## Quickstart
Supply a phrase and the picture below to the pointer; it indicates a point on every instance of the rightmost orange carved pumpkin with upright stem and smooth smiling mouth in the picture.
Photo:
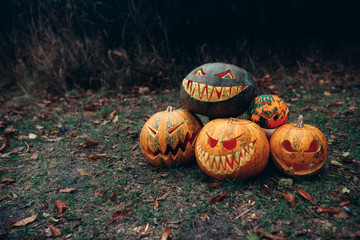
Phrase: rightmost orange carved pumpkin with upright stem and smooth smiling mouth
(299, 149)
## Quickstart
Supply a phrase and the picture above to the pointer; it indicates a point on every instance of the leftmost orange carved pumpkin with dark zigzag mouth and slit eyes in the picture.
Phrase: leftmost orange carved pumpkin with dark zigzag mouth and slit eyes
(168, 137)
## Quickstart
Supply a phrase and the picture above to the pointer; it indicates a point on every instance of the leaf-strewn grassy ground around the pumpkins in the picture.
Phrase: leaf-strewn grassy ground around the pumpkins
(123, 180)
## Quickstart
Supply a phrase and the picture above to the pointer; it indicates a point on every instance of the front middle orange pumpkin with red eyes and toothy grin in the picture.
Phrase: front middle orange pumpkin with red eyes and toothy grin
(230, 148)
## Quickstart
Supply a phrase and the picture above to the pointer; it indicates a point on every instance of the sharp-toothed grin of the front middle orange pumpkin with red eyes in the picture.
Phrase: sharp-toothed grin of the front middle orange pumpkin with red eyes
(225, 163)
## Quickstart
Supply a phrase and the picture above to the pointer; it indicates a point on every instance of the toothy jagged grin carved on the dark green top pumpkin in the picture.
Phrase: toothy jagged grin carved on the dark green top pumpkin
(209, 93)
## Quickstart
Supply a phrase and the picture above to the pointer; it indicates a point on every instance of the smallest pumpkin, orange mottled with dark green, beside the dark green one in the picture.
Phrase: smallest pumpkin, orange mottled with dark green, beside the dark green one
(268, 111)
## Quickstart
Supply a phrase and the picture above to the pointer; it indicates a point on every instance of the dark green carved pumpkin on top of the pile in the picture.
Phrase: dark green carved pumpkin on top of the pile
(218, 90)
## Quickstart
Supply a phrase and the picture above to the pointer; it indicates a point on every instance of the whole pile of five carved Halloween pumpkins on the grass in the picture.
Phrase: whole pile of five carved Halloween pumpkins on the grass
(229, 147)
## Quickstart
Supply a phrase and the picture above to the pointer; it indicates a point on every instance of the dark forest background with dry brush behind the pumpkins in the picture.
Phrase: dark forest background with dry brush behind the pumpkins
(56, 45)
